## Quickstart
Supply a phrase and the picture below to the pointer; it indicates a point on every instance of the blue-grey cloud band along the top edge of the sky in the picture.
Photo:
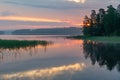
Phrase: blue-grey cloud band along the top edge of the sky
(52, 4)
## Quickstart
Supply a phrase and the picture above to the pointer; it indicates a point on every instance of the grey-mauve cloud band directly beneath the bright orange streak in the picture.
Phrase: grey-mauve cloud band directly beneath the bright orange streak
(30, 23)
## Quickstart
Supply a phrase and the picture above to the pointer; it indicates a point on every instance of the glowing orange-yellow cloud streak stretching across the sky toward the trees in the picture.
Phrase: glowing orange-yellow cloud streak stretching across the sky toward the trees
(32, 19)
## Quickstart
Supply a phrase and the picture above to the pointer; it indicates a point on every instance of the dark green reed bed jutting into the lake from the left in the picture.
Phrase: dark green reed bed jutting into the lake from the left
(21, 43)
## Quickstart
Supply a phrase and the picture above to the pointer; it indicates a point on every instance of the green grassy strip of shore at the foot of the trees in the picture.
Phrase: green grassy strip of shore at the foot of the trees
(111, 39)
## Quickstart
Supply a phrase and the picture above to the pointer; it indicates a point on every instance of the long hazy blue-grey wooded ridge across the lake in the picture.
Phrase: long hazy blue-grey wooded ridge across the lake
(52, 31)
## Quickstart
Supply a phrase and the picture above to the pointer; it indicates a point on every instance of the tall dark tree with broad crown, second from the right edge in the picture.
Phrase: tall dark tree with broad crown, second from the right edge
(110, 21)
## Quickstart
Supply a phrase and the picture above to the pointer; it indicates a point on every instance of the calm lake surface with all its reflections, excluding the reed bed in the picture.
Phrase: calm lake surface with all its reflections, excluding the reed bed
(65, 59)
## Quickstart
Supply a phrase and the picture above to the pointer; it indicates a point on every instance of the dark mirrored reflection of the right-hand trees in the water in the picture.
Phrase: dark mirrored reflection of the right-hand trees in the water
(104, 54)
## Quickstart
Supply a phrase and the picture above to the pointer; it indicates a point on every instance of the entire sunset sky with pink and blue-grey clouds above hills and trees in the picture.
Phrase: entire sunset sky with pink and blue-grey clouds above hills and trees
(32, 14)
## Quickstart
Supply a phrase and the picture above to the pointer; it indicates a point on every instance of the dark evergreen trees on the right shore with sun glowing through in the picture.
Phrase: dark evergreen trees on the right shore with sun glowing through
(103, 23)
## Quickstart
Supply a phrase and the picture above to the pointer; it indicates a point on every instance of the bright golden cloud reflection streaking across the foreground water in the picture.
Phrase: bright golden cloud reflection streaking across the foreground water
(47, 73)
